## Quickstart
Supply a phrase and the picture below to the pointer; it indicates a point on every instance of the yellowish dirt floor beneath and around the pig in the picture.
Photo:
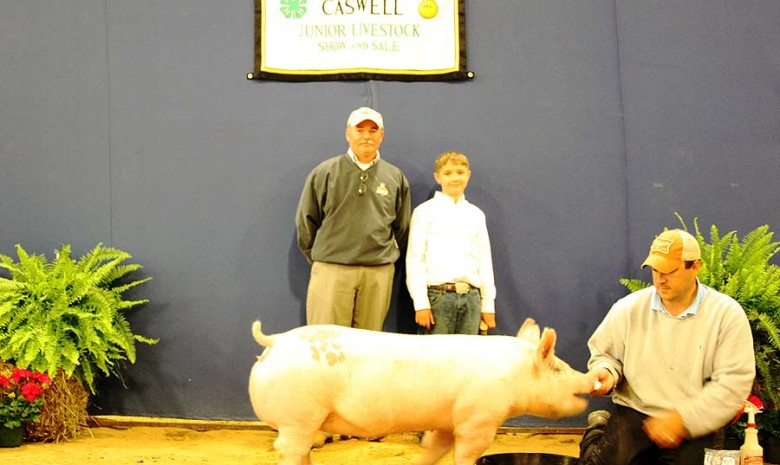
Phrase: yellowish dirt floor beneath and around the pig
(157, 441)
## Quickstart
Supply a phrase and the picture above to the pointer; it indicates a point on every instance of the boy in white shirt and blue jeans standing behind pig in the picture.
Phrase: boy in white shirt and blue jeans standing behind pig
(448, 262)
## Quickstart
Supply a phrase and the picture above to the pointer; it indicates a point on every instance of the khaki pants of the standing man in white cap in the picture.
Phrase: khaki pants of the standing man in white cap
(349, 295)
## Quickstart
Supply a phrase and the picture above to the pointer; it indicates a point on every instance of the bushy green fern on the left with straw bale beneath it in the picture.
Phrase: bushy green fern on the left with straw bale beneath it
(65, 318)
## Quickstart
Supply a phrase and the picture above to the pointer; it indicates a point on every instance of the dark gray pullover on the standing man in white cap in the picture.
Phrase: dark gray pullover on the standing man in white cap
(345, 220)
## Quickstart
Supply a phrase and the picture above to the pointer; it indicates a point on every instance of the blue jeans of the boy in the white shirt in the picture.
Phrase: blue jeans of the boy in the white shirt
(454, 313)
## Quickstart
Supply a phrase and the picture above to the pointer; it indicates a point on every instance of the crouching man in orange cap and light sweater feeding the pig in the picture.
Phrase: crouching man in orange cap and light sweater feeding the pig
(677, 358)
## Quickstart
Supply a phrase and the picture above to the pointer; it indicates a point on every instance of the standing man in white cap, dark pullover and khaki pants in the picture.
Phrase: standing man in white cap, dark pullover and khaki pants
(352, 218)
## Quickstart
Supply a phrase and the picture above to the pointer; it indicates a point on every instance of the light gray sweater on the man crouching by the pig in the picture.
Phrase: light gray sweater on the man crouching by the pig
(702, 366)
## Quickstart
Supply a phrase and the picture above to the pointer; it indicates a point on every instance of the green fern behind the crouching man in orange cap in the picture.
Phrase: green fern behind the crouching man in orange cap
(742, 269)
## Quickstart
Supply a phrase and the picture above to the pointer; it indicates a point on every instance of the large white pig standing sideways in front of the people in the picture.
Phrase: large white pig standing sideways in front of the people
(369, 384)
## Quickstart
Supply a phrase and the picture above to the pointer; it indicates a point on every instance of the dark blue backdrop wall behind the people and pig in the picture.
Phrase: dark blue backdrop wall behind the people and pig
(589, 123)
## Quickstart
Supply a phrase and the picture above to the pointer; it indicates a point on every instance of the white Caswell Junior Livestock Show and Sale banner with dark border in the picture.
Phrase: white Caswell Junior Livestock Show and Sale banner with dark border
(402, 40)
